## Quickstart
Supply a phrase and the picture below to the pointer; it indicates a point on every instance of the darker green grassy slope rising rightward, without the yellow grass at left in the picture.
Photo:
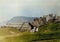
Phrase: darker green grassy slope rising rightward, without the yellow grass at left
(47, 33)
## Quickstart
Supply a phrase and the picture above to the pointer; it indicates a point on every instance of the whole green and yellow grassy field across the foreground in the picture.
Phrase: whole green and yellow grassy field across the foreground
(46, 33)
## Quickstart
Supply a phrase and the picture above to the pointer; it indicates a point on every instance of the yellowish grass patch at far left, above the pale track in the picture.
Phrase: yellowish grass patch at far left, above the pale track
(8, 31)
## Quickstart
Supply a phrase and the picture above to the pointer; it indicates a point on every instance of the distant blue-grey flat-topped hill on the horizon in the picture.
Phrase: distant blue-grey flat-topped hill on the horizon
(20, 19)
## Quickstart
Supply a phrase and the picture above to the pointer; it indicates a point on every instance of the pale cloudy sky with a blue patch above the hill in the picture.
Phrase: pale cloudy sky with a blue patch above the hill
(34, 8)
